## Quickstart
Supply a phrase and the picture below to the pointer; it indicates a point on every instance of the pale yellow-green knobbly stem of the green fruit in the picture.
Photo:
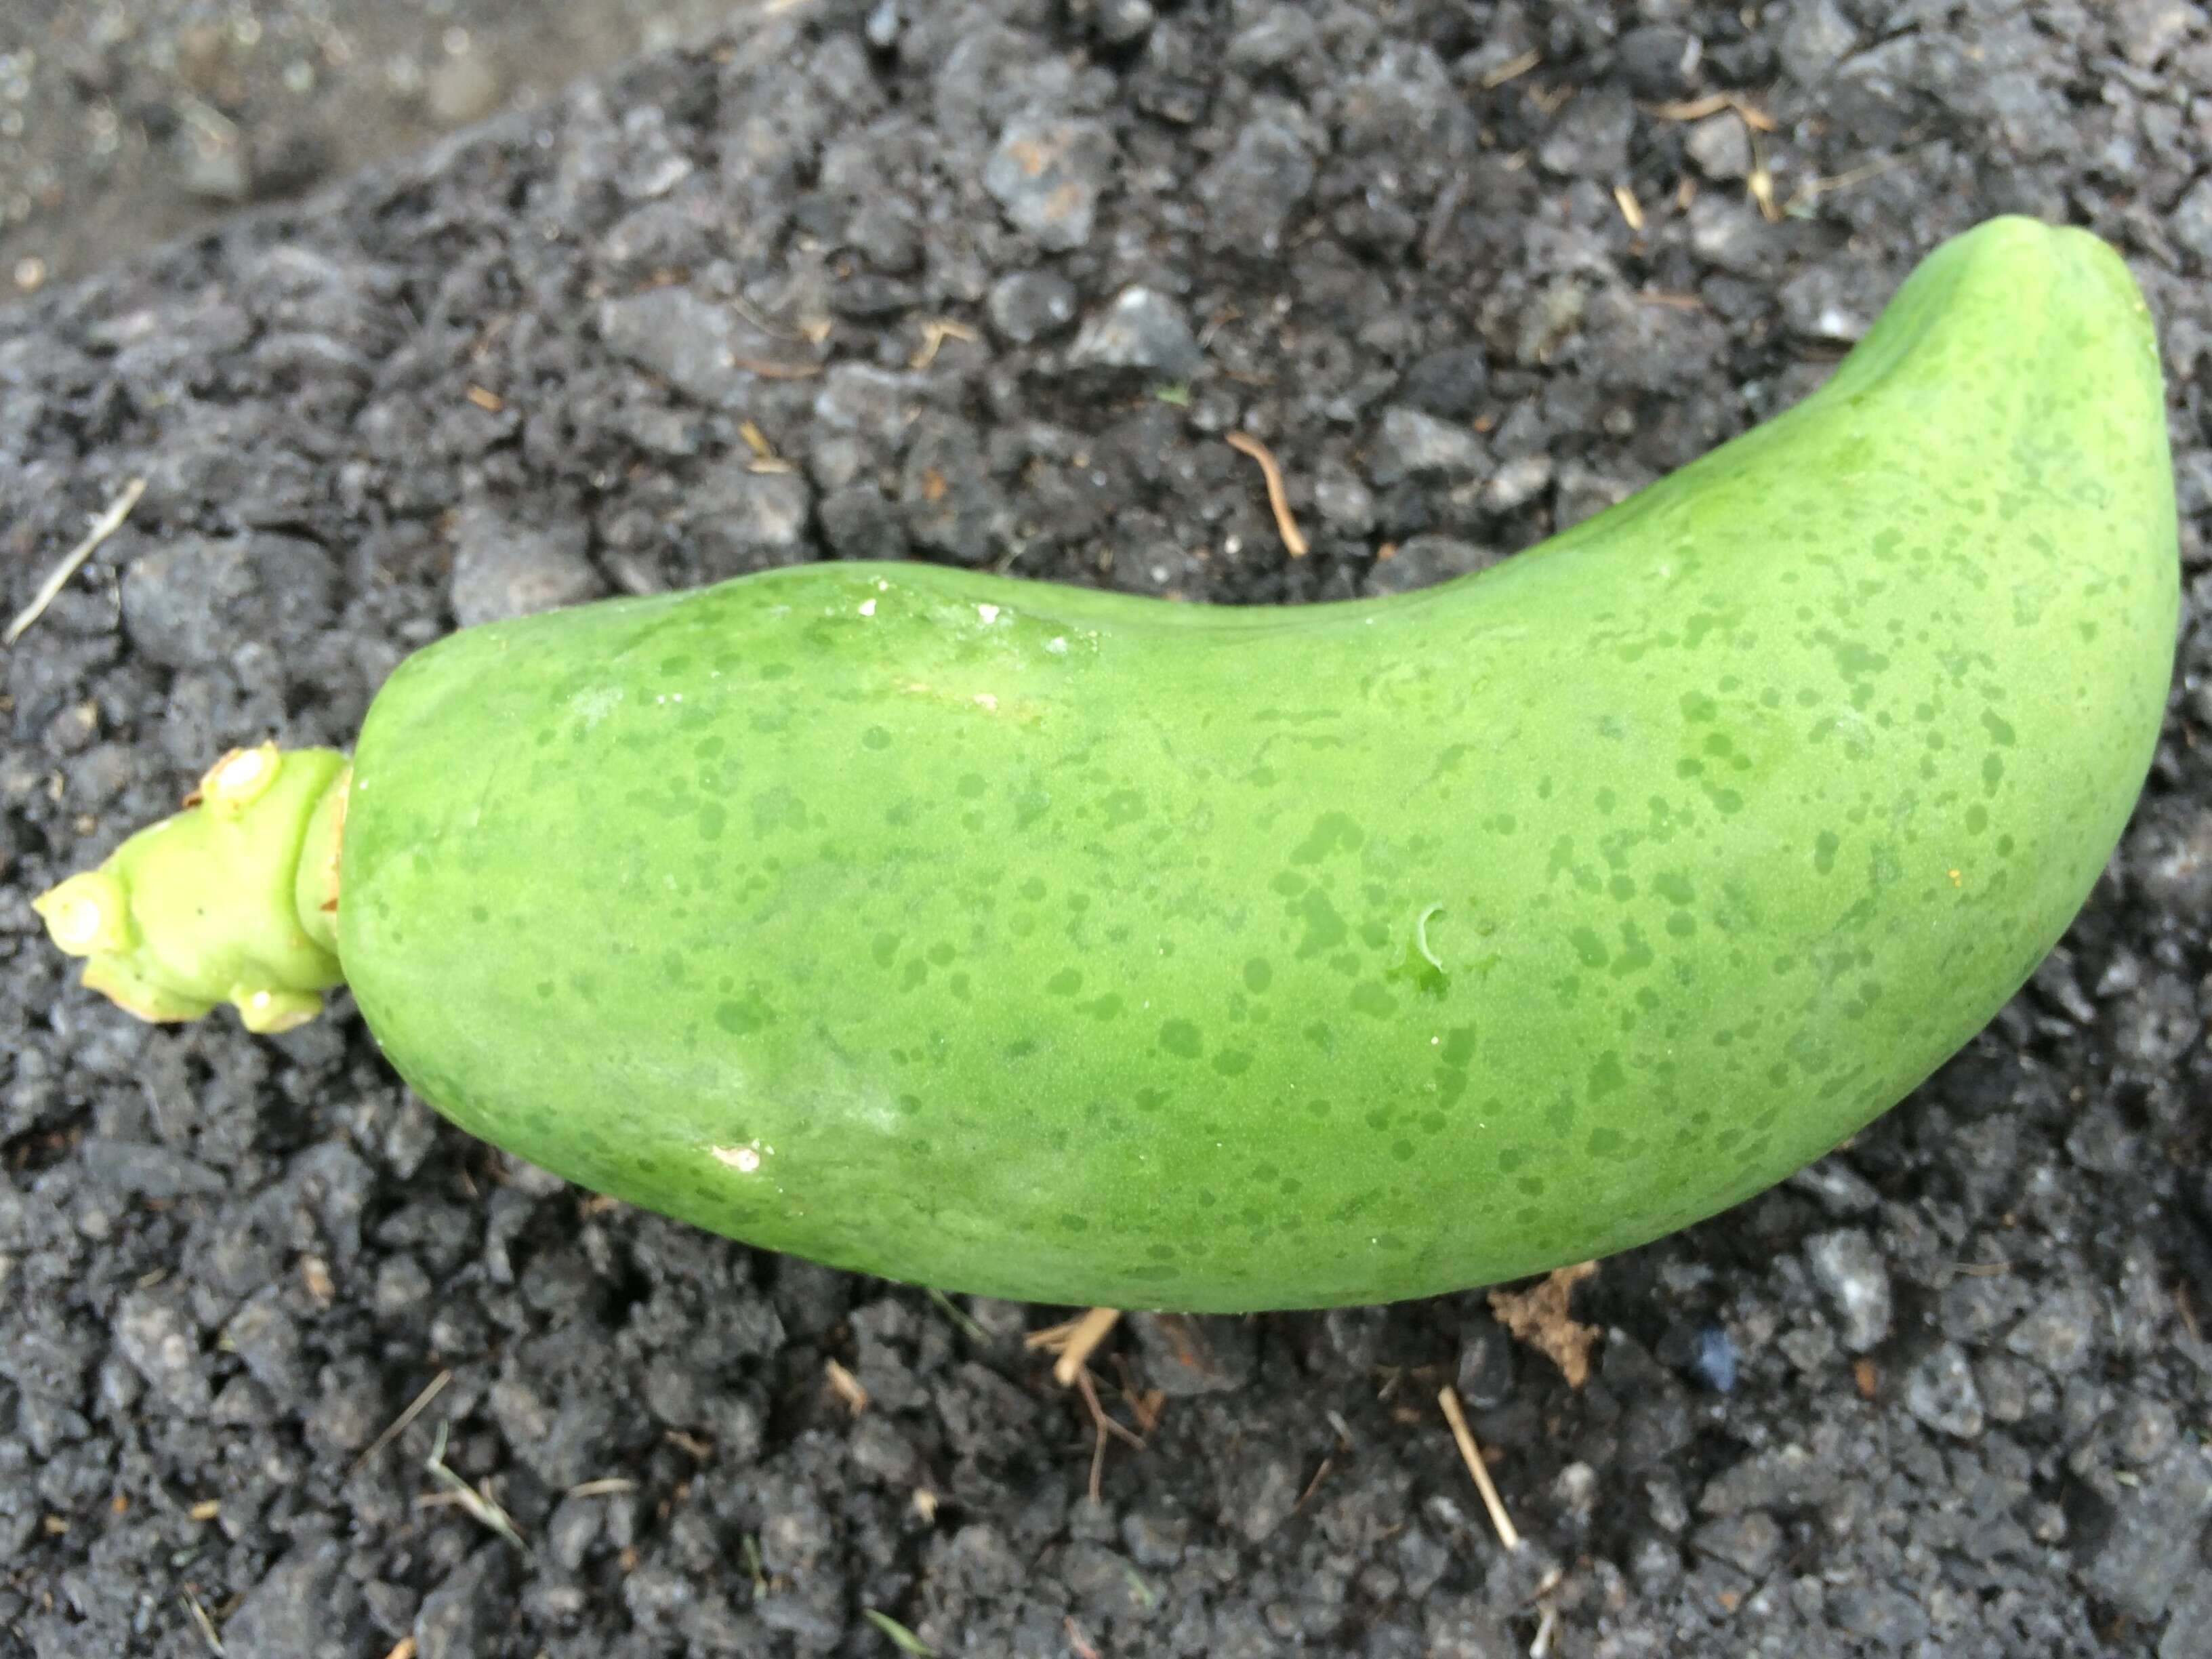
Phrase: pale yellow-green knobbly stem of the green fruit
(233, 899)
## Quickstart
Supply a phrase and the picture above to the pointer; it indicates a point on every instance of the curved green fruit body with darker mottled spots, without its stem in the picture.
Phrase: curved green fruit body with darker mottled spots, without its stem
(1081, 950)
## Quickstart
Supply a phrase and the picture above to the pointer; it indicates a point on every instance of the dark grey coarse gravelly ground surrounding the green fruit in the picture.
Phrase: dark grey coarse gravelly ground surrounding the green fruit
(997, 284)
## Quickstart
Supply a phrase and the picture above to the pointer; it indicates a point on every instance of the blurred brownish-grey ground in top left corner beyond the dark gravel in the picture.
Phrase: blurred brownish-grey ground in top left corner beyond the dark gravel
(132, 123)
